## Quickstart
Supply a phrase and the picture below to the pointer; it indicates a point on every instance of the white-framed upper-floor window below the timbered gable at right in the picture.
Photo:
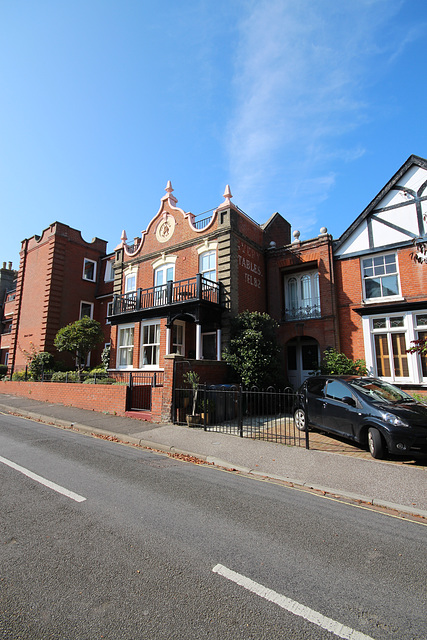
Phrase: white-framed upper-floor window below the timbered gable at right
(380, 276)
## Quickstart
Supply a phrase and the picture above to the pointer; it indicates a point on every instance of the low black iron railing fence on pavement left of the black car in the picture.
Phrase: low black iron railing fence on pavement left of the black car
(265, 414)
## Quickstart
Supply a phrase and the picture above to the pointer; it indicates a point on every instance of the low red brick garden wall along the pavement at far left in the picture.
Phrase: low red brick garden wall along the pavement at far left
(105, 398)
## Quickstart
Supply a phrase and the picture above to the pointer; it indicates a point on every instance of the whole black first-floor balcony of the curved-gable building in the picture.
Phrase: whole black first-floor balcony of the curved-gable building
(171, 299)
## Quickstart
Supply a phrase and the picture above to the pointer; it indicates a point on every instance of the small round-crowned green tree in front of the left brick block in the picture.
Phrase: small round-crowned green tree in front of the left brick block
(79, 338)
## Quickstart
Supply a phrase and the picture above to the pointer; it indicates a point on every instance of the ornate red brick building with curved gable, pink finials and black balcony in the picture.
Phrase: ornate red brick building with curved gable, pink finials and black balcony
(177, 286)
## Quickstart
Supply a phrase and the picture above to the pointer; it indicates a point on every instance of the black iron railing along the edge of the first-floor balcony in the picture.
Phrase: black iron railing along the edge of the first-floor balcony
(189, 290)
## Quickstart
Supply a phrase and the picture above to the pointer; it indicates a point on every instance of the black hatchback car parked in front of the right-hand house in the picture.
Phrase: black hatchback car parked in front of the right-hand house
(367, 410)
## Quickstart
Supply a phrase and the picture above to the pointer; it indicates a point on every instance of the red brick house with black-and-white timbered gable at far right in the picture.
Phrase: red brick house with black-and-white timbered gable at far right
(381, 285)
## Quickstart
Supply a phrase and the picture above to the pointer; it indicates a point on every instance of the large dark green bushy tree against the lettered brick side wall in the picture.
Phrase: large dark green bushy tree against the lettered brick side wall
(254, 352)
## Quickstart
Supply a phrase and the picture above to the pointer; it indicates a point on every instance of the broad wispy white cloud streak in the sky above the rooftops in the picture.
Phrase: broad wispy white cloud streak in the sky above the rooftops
(300, 80)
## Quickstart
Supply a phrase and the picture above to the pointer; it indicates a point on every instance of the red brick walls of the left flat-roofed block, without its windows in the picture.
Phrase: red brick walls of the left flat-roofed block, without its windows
(50, 288)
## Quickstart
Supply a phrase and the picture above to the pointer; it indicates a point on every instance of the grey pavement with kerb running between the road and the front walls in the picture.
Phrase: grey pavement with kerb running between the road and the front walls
(331, 466)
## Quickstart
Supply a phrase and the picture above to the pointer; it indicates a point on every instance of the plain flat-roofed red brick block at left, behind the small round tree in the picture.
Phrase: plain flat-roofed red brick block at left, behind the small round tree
(61, 278)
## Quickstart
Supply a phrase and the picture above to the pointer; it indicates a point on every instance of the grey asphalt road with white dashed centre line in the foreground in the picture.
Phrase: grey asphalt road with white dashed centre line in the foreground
(150, 547)
